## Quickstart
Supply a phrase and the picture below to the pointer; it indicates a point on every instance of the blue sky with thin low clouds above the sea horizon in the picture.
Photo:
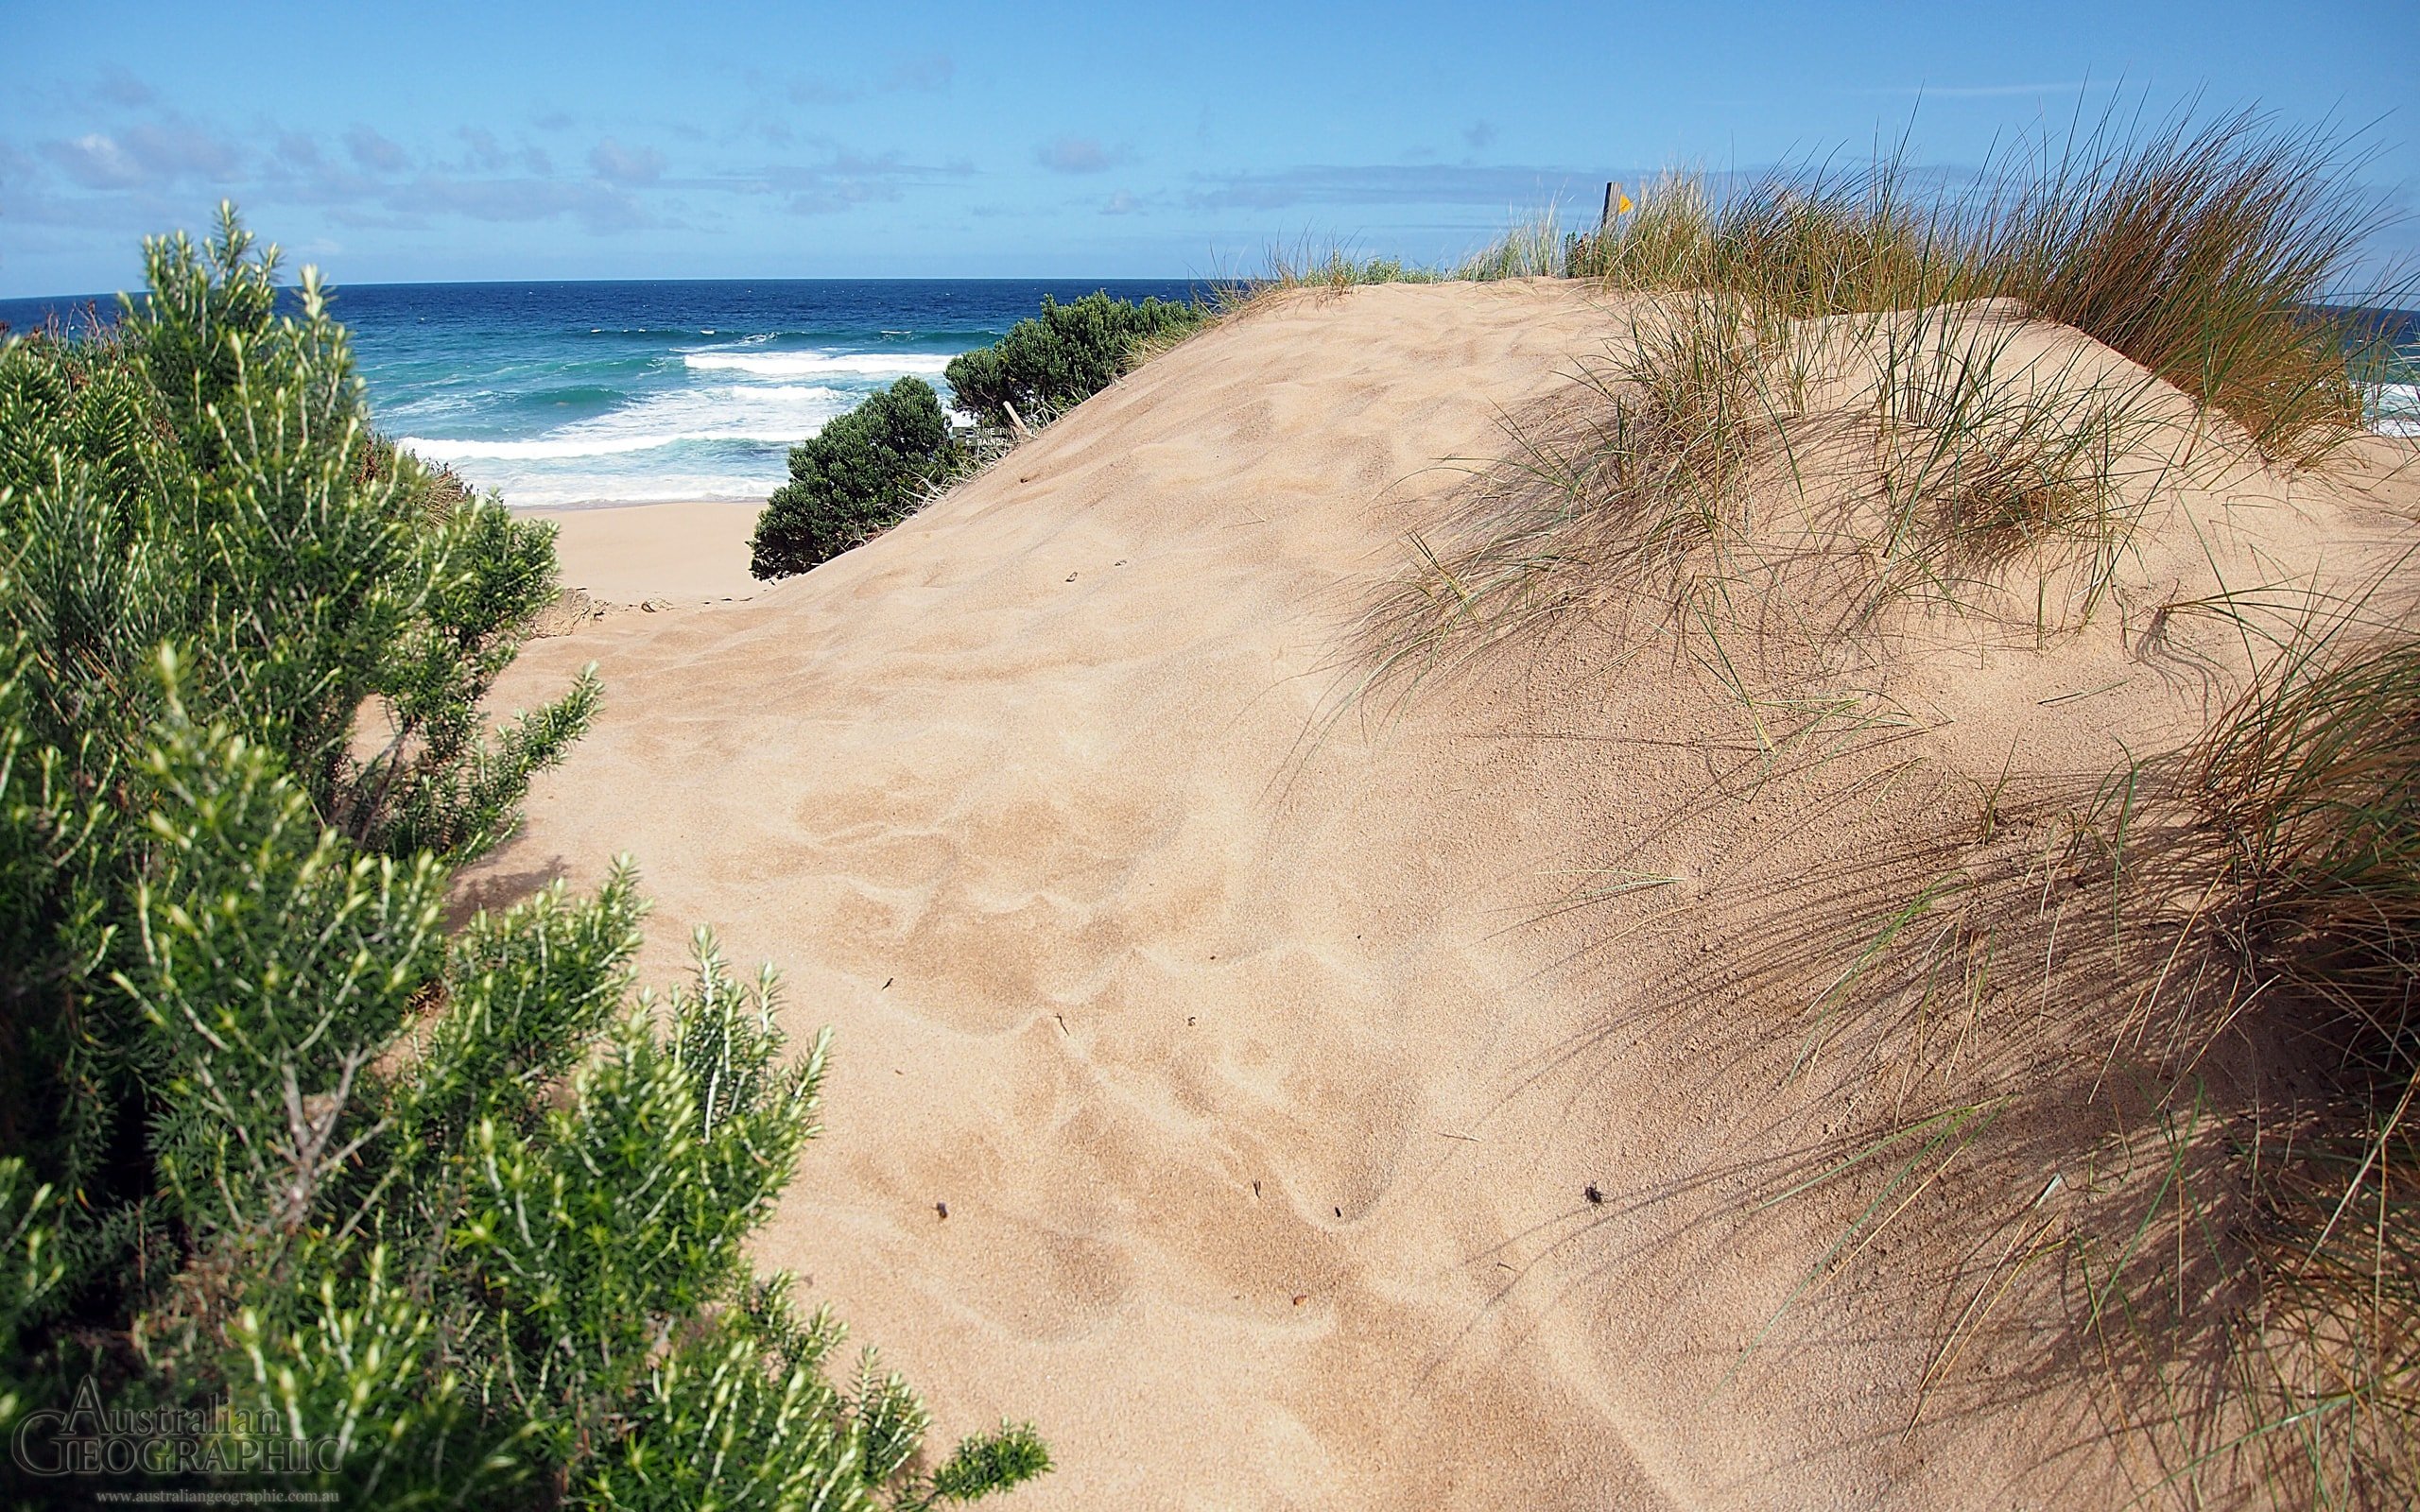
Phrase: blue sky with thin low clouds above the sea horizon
(805, 142)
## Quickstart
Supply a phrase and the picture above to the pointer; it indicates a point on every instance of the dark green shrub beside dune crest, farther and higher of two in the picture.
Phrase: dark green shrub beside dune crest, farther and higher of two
(1064, 357)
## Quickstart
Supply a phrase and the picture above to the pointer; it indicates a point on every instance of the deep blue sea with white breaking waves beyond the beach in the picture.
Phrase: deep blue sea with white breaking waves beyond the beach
(623, 393)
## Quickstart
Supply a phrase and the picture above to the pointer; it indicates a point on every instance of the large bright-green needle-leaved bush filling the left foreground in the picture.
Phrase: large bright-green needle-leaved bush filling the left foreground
(289, 1177)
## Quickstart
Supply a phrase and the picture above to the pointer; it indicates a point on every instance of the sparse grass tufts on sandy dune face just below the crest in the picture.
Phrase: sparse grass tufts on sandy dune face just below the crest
(1944, 456)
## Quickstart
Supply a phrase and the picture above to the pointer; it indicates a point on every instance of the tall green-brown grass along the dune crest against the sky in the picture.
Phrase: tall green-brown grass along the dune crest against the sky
(2203, 250)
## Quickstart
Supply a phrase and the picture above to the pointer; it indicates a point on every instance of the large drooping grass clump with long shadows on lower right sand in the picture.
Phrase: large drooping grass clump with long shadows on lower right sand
(2245, 1264)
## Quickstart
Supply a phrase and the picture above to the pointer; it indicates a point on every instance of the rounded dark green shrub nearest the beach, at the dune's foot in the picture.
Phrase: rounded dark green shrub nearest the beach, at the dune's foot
(868, 471)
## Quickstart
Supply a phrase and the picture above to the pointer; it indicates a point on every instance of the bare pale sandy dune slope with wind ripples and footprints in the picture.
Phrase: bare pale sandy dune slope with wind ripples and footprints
(1267, 1063)
